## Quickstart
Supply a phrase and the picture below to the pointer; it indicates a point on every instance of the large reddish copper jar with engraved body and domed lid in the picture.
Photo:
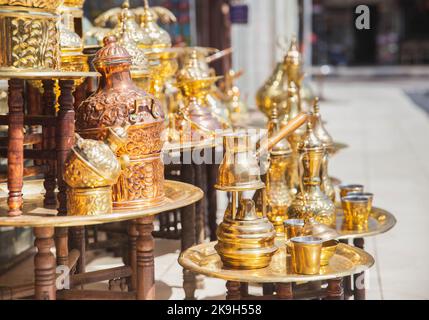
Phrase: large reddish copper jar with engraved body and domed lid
(119, 102)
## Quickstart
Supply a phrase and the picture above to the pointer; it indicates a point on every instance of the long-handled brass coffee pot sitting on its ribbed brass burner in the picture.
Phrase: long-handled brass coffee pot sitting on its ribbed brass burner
(245, 236)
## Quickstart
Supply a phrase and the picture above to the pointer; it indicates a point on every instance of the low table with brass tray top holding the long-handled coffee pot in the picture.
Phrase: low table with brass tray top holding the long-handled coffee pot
(347, 261)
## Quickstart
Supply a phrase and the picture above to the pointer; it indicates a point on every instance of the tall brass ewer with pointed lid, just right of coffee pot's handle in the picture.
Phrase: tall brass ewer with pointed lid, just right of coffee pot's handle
(311, 201)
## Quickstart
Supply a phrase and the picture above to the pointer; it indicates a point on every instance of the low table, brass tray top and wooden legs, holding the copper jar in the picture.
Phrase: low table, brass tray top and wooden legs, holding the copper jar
(138, 274)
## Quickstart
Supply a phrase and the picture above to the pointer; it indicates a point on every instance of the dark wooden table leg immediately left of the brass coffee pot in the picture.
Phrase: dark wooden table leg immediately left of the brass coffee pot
(212, 172)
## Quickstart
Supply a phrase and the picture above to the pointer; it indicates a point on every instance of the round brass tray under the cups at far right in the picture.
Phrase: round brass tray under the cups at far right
(380, 221)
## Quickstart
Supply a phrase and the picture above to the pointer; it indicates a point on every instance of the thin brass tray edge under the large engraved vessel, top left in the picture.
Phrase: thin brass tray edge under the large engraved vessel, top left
(46, 75)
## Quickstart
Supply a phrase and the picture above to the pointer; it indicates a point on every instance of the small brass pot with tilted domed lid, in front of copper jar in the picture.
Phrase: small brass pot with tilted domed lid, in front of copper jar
(90, 171)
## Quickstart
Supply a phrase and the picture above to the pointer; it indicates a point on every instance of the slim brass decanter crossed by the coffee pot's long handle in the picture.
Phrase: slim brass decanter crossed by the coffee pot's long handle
(279, 196)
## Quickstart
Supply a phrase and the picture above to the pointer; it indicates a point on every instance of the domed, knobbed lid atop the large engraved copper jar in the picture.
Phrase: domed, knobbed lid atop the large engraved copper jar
(112, 53)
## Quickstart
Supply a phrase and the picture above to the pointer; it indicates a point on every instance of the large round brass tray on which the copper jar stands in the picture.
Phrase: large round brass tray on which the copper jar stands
(178, 195)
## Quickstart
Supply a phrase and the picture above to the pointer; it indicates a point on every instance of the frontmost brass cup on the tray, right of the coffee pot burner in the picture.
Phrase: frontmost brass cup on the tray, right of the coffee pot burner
(306, 254)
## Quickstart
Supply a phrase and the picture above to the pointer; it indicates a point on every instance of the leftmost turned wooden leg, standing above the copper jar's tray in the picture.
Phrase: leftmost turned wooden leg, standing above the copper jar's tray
(15, 151)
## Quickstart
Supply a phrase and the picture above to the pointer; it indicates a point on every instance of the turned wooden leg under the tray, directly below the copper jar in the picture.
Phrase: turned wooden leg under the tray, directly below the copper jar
(145, 259)
